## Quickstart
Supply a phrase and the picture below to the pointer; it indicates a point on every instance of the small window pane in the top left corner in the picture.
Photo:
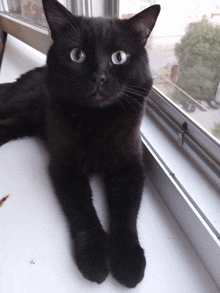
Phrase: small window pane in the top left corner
(28, 10)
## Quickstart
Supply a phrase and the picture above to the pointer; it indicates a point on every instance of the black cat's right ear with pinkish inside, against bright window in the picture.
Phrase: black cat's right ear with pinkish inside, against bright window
(144, 21)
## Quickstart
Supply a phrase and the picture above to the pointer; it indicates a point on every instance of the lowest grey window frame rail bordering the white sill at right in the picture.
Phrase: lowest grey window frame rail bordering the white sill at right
(197, 227)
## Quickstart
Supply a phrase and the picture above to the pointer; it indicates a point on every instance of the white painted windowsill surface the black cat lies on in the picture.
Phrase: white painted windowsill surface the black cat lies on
(33, 228)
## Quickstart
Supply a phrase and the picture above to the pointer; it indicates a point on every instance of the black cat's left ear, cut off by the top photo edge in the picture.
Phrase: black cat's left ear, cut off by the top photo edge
(58, 17)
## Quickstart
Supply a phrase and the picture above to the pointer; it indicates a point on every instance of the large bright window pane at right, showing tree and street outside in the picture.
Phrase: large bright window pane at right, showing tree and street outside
(184, 53)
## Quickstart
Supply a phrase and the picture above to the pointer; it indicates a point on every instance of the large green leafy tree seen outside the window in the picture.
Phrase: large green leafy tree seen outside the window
(198, 55)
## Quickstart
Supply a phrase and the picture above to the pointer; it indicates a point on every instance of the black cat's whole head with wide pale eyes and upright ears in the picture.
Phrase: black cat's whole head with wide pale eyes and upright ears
(96, 62)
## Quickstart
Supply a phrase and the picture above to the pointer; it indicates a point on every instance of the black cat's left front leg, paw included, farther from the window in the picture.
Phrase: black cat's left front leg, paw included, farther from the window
(90, 240)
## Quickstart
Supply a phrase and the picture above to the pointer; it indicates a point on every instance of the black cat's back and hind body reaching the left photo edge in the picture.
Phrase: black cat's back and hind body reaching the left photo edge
(23, 102)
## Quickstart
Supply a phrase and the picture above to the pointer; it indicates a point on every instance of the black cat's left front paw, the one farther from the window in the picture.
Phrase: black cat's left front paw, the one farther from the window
(91, 254)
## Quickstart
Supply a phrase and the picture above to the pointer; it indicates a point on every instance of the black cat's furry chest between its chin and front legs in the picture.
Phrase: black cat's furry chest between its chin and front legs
(97, 143)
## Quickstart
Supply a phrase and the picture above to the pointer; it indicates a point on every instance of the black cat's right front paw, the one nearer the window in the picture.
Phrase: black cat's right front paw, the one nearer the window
(127, 263)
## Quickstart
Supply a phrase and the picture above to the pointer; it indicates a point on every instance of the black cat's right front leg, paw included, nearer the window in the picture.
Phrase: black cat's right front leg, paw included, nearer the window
(126, 257)
